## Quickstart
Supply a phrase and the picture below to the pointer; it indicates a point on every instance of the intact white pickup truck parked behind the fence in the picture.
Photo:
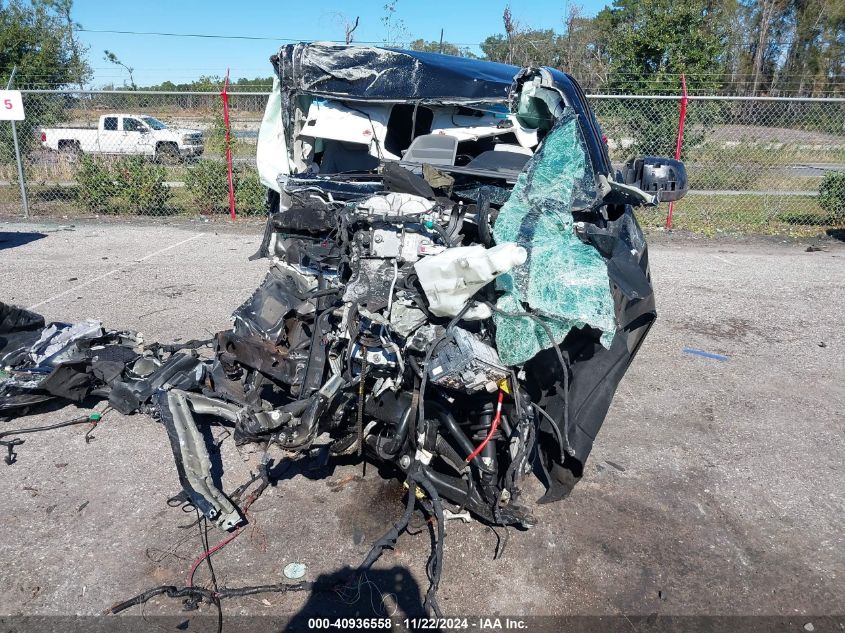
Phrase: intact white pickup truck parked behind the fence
(126, 134)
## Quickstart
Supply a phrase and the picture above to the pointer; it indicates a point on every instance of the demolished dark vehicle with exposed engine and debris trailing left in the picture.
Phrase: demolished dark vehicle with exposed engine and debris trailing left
(458, 284)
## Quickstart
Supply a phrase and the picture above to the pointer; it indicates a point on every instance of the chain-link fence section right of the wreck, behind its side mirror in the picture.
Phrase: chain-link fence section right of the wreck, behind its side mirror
(759, 165)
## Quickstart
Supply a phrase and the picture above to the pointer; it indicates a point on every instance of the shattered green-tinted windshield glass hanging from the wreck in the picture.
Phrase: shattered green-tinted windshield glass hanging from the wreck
(563, 281)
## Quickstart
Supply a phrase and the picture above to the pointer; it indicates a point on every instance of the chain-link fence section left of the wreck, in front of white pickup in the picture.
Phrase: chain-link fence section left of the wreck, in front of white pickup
(143, 153)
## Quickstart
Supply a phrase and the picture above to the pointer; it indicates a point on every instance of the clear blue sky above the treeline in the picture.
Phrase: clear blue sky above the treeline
(157, 58)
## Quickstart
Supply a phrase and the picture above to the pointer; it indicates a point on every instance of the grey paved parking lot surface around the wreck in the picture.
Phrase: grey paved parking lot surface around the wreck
(714, 488)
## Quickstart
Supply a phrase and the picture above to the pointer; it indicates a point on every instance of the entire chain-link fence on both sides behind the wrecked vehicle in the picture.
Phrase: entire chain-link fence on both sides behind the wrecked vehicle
(755, 165)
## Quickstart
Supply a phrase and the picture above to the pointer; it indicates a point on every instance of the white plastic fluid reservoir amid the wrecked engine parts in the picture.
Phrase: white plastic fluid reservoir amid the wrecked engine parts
(451, 278)
